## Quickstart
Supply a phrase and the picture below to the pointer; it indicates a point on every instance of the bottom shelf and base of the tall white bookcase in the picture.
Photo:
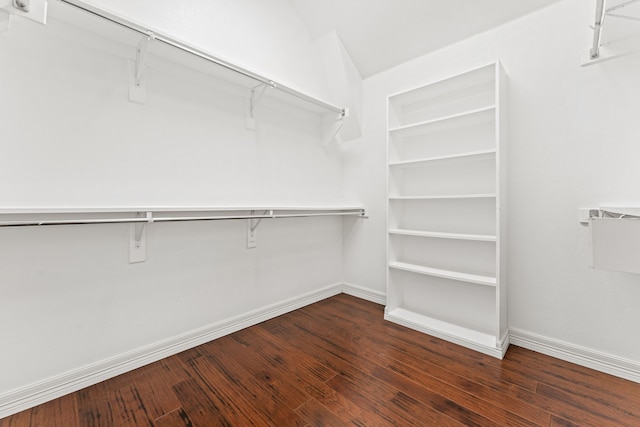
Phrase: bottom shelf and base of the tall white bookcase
(478, 340)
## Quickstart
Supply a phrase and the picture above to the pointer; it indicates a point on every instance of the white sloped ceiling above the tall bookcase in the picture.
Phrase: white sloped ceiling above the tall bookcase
(380, 34)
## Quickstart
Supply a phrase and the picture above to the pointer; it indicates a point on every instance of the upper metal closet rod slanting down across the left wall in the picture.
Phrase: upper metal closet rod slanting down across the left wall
(200, 53)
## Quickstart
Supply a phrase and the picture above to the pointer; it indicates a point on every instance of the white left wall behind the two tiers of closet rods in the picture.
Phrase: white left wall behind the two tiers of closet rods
(69, 299)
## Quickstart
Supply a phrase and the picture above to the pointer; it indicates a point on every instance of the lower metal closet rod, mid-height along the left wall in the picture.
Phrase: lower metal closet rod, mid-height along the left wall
(151, 219)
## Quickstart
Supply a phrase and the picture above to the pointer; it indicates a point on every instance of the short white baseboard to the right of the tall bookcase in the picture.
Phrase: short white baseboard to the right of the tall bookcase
(603, 362)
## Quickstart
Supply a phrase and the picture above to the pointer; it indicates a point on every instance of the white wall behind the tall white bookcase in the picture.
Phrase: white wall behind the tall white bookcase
(573, 142)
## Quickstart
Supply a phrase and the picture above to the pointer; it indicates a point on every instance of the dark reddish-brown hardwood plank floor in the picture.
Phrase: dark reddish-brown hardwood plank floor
(337, 363)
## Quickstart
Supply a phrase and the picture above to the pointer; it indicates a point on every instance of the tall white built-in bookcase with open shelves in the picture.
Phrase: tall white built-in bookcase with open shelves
(447, 223)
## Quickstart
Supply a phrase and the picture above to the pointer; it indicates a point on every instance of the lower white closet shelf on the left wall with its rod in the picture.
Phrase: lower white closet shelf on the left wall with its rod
(46, 217)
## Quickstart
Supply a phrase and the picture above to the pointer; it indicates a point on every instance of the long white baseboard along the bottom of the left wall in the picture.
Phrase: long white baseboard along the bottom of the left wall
(34, 394)
